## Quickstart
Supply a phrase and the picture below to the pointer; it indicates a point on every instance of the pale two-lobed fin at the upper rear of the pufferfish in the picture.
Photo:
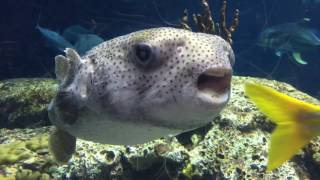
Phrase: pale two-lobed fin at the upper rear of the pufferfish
(65, 66)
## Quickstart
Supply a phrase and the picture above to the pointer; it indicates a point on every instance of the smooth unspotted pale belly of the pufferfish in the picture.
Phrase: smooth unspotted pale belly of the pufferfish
(117, 132)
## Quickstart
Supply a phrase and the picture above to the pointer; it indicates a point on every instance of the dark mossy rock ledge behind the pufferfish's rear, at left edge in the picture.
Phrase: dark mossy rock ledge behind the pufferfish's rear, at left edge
(23, 102)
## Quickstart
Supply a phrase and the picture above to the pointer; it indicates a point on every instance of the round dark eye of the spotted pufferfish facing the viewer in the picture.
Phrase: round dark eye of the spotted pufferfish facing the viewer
(144, 54)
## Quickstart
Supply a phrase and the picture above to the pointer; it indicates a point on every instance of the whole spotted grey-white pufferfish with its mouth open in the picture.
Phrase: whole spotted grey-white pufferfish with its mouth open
(139, 87)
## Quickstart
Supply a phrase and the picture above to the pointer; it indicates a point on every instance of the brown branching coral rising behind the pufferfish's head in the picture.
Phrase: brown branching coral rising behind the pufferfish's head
(205, 22)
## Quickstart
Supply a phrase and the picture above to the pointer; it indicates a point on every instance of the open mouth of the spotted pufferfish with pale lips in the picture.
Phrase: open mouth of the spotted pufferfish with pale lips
(215, 81)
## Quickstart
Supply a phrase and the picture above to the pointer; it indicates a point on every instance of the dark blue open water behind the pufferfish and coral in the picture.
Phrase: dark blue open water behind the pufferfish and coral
(24, 53)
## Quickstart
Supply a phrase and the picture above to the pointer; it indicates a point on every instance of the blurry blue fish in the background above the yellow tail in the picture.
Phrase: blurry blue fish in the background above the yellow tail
(291, 38)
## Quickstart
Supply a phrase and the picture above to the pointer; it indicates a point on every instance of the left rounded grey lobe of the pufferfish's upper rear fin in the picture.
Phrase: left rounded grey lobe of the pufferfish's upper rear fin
(62, 67)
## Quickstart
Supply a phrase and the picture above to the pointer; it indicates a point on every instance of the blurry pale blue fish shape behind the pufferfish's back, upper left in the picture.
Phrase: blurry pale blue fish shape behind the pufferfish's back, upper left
(76, 37)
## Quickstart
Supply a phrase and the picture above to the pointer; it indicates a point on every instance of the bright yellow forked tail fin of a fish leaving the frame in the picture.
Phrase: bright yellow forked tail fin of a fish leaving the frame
(295, 121)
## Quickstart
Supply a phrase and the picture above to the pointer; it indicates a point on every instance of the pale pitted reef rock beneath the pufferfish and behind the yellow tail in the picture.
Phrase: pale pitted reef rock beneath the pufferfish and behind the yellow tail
(233, 146)
